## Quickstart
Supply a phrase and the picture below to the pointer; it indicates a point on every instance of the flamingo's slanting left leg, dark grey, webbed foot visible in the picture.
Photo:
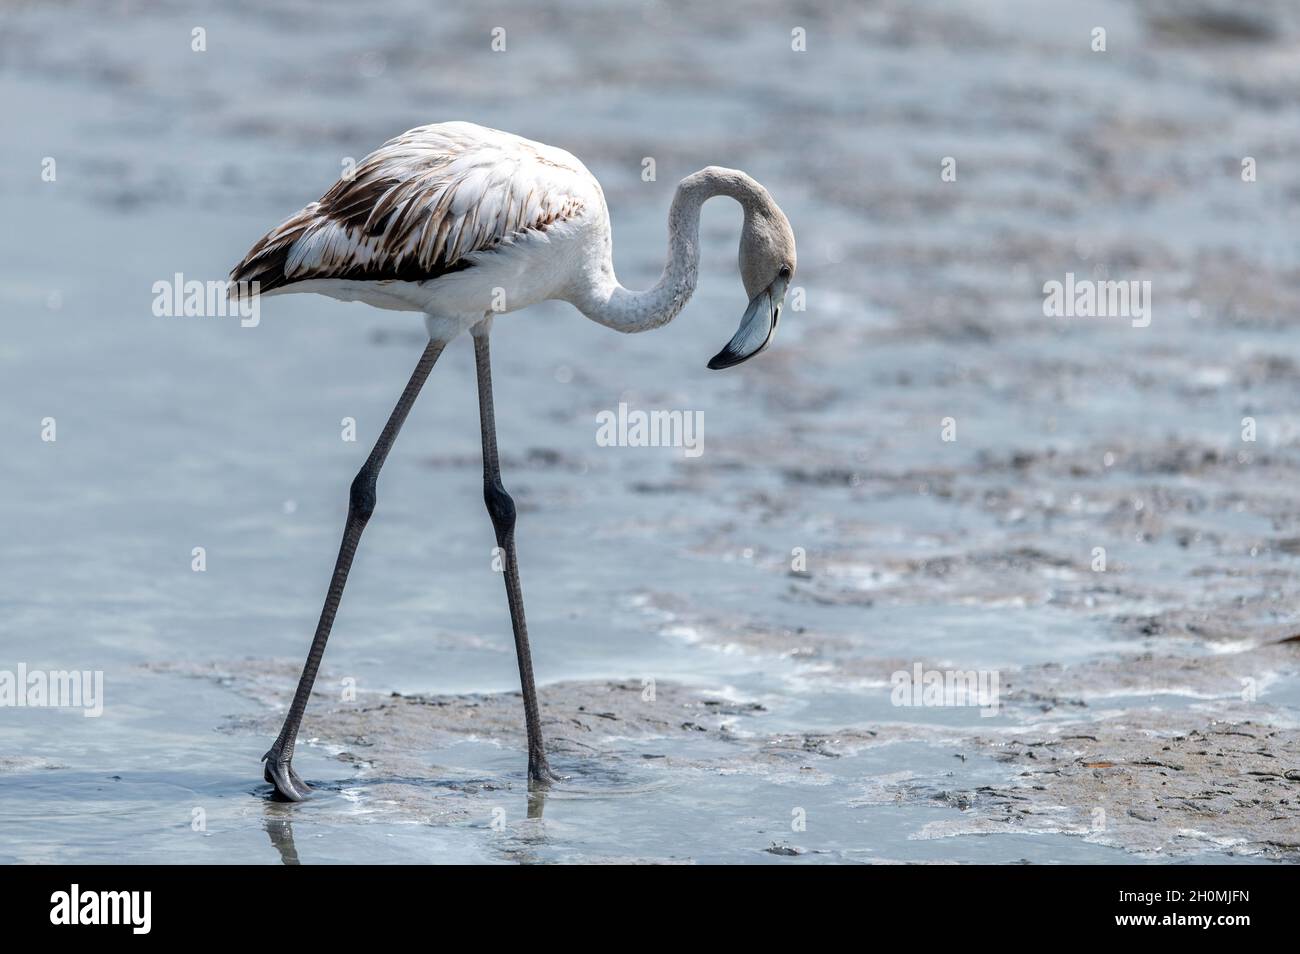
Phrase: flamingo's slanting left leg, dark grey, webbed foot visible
(280, 770)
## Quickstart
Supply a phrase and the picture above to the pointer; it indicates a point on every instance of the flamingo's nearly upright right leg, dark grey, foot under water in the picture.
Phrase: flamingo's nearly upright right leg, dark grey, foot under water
(501, 509)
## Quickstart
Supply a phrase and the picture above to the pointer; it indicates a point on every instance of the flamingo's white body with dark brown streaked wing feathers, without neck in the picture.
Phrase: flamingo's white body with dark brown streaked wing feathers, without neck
(430, 205)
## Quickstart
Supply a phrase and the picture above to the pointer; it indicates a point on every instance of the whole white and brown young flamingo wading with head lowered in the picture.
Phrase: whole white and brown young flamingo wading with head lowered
(462, 223)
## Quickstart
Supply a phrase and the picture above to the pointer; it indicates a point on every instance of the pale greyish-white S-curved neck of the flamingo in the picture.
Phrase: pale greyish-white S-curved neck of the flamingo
(605, 301)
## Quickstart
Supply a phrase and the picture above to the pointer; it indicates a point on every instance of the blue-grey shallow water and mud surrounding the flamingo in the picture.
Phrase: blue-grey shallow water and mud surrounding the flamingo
(924, 302)
